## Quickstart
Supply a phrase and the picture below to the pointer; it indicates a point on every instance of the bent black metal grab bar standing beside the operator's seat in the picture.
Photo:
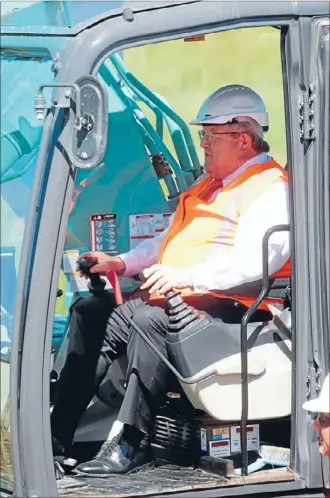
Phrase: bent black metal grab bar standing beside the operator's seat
(244, 342)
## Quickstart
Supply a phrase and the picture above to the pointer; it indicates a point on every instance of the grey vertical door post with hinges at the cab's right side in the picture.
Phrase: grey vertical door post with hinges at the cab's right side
(310, 224)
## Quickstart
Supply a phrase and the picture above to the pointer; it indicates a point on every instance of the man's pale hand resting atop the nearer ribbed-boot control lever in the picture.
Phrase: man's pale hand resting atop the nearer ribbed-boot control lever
(162, 278)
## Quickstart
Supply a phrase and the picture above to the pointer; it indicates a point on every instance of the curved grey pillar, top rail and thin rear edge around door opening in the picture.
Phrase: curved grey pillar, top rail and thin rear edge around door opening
(38, 281)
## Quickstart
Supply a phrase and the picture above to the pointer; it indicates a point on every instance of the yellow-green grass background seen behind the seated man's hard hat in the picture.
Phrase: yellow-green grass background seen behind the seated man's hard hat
(185, 73)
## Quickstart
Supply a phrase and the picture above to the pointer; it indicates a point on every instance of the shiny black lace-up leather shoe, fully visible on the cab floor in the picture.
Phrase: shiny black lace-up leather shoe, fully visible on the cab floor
(116, 458)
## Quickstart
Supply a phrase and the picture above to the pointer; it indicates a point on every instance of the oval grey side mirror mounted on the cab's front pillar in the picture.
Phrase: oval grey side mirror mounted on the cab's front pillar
(88, 139)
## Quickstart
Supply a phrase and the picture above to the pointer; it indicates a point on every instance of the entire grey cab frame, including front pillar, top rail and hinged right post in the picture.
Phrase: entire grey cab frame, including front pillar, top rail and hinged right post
(137, 24)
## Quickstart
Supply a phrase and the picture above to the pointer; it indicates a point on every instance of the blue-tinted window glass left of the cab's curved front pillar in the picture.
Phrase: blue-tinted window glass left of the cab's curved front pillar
(20, 139)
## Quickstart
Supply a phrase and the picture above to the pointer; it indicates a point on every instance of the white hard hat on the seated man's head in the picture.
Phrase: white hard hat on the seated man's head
(229, 102)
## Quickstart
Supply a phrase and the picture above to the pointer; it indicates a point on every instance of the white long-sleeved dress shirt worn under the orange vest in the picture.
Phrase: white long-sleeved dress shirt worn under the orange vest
(223, 270)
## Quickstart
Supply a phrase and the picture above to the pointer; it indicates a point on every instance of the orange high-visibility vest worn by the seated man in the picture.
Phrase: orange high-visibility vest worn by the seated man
(200, 223)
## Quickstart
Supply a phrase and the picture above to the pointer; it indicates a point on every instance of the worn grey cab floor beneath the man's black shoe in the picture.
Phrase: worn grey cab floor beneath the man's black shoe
(152, 481)
